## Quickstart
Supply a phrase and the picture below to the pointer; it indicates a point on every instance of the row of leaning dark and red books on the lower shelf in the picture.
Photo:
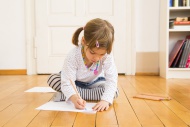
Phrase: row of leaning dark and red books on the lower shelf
(180, 55)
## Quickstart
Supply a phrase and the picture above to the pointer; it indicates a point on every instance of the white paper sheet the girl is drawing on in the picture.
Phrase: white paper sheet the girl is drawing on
(65, 106)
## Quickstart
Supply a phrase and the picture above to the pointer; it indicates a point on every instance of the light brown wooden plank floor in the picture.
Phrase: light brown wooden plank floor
(17, 108)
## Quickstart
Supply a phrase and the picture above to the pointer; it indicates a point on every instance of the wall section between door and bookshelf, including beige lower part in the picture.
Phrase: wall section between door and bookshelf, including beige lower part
(146, 18)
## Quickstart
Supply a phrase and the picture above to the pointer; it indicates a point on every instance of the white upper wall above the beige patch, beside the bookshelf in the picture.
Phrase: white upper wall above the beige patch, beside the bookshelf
(146, 25)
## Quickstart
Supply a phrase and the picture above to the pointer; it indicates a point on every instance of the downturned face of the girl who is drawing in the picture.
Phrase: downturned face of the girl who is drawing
(95, 54)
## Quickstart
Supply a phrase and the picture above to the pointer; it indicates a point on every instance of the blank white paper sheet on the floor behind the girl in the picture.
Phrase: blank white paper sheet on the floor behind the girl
(41, 89)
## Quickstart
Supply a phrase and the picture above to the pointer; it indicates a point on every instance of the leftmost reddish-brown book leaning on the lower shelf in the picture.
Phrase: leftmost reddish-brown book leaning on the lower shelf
(175, 51)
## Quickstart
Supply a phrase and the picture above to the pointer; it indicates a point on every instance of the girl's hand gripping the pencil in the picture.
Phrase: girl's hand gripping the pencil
(78, 102)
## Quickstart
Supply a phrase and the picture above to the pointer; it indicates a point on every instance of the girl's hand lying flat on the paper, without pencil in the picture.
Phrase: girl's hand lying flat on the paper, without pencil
(101, 106)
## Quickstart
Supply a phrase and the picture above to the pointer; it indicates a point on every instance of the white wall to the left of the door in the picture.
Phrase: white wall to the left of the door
(12, 35)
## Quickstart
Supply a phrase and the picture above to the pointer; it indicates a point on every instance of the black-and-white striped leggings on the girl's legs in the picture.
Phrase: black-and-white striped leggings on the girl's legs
(54, 81)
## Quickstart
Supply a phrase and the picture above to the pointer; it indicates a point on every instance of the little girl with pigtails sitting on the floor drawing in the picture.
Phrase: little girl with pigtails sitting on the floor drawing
(91, 65)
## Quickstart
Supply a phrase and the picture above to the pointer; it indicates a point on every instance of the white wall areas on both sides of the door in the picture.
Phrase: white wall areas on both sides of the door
(12, 32)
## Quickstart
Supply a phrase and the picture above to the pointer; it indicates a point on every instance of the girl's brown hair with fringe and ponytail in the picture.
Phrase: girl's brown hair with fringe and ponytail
(96, 30)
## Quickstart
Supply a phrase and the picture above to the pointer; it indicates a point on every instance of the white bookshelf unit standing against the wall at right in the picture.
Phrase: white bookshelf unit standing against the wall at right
(168, 38)
